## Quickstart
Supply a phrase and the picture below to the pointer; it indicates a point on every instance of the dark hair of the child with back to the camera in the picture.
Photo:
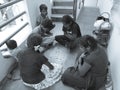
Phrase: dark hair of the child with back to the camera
(34, 39)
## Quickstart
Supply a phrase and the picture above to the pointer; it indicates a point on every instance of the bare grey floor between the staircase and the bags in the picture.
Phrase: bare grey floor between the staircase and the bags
(86, 19)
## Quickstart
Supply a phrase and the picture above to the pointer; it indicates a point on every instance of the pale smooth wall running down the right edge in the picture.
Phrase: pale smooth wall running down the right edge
(114, 45)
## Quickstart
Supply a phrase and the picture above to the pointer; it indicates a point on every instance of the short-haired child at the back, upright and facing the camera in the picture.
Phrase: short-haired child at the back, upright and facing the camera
(44, 14)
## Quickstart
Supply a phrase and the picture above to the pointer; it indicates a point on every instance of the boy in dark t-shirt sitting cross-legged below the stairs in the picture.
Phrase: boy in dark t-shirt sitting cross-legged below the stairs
(71, 31)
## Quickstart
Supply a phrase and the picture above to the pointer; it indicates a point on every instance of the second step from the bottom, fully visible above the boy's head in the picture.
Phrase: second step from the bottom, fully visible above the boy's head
(62, 10)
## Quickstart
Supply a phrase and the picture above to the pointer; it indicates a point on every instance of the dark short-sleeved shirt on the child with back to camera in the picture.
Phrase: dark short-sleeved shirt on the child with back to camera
(30, 64)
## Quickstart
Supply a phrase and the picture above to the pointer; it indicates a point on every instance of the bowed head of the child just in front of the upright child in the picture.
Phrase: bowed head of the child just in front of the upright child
(47, 25)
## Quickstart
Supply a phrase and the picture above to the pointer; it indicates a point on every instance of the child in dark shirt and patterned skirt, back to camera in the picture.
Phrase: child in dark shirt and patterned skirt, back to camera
(36, 70)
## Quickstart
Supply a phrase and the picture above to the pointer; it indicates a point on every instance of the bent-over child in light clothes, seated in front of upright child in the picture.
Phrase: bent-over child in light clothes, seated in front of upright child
(44, 30)
